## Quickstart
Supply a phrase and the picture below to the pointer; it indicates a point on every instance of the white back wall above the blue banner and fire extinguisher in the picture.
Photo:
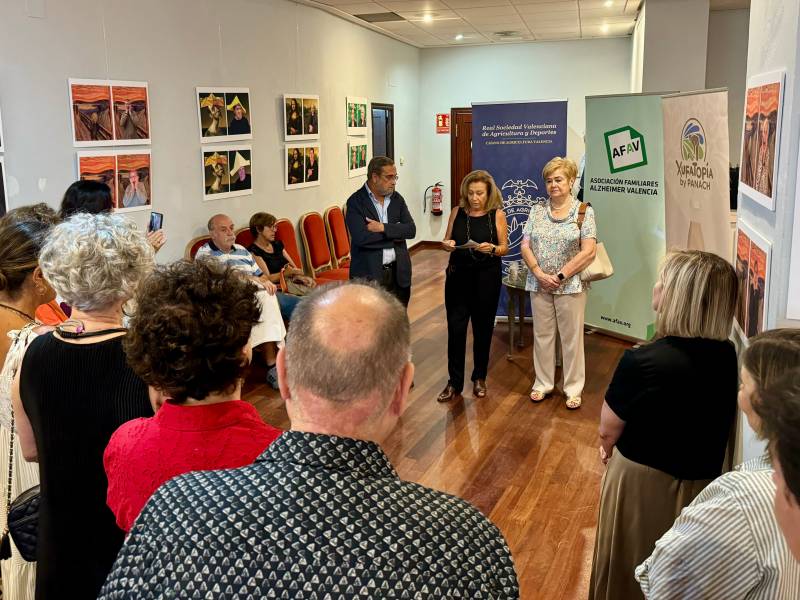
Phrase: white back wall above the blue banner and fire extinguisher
(454, 77)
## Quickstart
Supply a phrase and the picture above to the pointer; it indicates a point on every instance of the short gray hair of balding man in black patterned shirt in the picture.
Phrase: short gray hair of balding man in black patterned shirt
(335, 370)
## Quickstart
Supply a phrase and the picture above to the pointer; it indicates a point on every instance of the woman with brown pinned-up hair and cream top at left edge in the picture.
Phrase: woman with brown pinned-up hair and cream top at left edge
(22, 289)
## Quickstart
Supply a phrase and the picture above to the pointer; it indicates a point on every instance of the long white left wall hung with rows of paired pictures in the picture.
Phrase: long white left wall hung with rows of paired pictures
(271, 46)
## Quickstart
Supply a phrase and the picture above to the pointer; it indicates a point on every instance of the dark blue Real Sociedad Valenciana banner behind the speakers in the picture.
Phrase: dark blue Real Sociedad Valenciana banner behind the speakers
(514, 141)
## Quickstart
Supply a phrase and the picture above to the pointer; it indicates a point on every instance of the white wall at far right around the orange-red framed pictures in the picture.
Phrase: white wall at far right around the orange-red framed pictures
(774, 44)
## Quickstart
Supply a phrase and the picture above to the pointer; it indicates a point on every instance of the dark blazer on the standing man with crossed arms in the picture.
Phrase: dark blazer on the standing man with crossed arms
(366, 247)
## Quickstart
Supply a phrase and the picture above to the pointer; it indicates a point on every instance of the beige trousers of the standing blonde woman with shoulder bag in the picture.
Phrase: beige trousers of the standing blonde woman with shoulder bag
(554, 315)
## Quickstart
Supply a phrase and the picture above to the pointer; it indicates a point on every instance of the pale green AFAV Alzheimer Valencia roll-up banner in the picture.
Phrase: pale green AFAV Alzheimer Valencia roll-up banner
(624, 181)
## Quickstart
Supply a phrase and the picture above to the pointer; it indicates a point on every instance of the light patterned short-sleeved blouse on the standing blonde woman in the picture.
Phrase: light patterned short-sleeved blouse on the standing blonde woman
(555, 242)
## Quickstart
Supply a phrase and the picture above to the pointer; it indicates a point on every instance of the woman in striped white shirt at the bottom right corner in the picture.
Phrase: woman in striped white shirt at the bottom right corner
(727, 543)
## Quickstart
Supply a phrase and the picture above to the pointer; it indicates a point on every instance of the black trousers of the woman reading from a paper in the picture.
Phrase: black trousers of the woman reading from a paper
(470, 294)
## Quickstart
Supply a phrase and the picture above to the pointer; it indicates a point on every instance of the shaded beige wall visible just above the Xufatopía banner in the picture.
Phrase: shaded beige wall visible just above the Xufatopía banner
(726, 66)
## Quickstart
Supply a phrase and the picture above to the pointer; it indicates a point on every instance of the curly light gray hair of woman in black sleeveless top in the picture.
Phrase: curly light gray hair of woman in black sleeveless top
(94, 261)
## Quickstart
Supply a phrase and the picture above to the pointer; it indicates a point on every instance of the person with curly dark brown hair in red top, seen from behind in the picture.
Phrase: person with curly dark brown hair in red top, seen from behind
(189, 342)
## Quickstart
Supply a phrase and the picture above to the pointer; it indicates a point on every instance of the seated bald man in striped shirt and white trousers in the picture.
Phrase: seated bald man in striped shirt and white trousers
(270, 330)
